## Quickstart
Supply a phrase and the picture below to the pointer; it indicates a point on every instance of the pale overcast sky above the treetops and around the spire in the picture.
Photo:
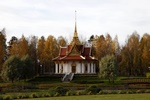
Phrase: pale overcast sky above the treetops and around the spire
(56, 17)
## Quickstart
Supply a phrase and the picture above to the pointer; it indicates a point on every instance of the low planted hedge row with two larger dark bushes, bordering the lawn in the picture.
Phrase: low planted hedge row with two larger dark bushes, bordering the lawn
(60, 91)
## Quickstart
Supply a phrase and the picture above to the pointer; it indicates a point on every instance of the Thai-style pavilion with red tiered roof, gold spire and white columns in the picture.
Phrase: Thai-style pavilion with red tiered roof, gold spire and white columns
(75, 58)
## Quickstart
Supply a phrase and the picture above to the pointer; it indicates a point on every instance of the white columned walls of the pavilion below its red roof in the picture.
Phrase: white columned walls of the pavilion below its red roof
(77, 67)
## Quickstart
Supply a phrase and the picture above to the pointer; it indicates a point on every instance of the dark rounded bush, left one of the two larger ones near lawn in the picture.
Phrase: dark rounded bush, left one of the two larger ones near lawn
(60, 90)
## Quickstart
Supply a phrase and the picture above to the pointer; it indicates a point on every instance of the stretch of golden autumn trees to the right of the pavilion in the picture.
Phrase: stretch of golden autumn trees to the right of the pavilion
(132, 59)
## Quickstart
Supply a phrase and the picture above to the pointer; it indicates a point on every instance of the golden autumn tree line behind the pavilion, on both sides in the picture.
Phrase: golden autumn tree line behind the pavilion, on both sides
(132, 58)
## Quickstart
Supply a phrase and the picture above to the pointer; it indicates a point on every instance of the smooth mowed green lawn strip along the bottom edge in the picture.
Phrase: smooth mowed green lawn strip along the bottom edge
(100, 97)
